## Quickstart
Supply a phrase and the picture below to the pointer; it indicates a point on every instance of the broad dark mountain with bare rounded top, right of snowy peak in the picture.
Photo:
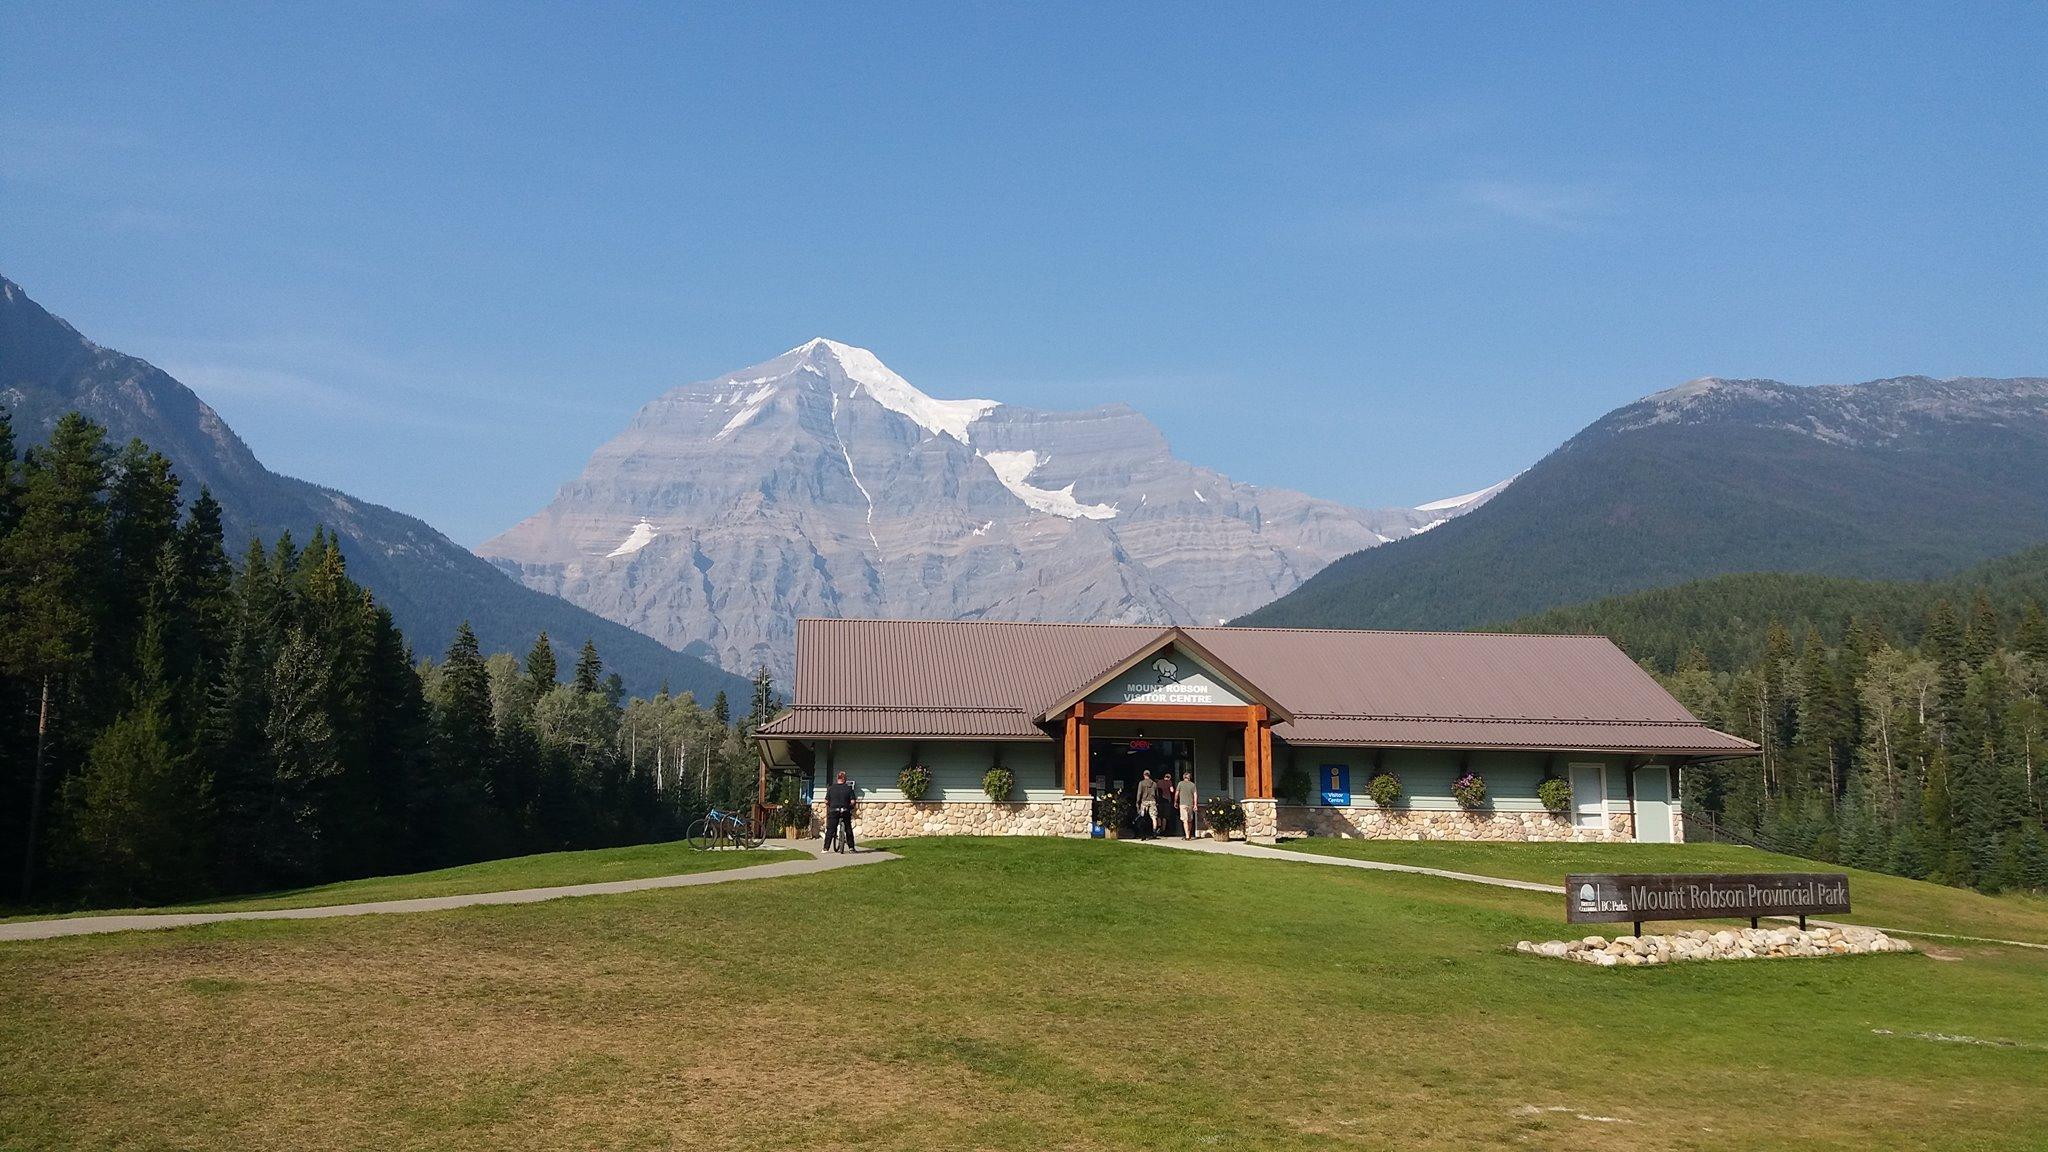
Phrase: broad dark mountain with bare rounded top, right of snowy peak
(1895, 479)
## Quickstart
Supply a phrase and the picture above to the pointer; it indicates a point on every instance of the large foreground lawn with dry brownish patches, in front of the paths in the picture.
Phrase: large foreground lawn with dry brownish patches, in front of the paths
(1005, 995)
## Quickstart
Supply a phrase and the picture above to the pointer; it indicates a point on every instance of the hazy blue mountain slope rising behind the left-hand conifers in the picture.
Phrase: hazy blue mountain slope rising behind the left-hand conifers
(429, 581)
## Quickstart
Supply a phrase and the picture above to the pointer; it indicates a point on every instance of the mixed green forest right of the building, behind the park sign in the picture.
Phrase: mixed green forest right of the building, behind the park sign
(1916, 751)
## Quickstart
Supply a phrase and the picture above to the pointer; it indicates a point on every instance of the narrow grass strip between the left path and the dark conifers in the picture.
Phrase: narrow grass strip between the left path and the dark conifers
(546, 870)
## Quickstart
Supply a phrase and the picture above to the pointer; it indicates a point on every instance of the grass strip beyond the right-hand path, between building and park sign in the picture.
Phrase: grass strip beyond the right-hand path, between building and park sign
(1877, 899)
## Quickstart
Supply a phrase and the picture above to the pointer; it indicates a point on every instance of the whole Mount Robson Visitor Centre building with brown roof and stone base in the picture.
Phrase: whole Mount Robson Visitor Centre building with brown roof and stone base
(1295, 723)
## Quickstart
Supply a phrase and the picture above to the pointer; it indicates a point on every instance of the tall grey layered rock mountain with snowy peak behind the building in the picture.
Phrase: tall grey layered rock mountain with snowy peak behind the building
(822, 483)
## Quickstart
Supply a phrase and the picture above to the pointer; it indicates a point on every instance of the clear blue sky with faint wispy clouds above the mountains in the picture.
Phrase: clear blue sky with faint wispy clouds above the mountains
(437, 253)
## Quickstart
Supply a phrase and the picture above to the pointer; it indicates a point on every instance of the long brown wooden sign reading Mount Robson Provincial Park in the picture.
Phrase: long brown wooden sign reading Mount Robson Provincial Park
(1605, 899)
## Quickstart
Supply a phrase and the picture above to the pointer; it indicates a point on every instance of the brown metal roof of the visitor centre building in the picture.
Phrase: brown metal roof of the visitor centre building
(988, 680)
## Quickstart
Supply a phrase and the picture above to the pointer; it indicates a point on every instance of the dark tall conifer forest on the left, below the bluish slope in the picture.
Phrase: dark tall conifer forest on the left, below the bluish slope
(177, 725)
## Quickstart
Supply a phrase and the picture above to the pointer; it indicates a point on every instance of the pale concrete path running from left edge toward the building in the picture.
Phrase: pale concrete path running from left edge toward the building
(142, 921)
